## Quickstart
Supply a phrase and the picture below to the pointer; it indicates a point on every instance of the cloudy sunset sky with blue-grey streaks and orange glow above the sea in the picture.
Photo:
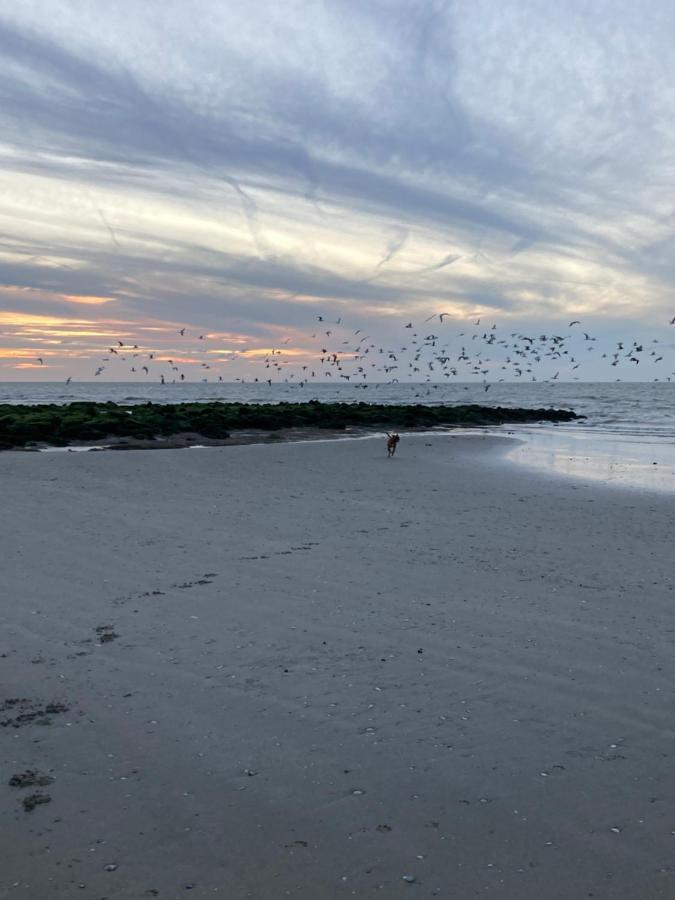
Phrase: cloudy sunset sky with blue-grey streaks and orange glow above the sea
(240, 169)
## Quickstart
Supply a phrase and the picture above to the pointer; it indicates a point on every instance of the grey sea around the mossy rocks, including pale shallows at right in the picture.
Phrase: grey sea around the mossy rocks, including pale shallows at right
(626, 439)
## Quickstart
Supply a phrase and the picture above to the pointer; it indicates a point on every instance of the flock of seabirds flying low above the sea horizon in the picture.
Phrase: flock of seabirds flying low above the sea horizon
(427, 352)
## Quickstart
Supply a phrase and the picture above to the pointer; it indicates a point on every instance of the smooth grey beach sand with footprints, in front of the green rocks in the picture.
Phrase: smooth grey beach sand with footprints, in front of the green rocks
(326, 671)
